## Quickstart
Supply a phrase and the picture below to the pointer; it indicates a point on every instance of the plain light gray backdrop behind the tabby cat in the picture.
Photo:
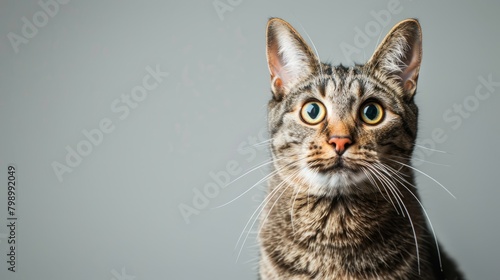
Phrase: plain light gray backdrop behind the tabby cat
(117, 215)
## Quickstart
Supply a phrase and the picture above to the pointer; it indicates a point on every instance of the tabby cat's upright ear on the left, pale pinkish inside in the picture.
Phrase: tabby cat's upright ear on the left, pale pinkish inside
(289, 58)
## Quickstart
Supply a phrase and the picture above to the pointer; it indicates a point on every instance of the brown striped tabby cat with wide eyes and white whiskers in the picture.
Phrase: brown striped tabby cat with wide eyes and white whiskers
(342, 201)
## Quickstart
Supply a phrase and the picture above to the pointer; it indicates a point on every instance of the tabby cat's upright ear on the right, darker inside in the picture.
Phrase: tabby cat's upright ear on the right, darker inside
(400, 55)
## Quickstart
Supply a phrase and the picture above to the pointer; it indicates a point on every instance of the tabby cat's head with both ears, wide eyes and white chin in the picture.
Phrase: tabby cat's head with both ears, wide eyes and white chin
(334, 128)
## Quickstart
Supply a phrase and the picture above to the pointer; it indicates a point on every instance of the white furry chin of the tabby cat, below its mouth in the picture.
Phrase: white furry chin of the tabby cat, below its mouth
(341, 182)
